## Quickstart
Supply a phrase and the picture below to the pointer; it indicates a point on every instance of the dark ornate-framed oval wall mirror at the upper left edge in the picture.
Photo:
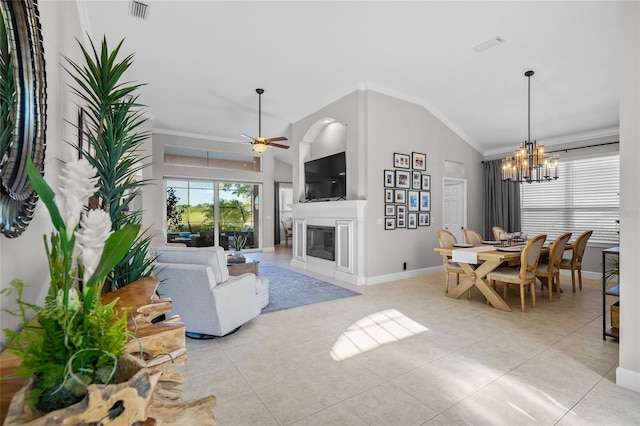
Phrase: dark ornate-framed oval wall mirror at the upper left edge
(22, 111)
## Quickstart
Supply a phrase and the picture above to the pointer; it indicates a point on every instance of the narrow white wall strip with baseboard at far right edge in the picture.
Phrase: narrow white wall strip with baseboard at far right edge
(628, 372)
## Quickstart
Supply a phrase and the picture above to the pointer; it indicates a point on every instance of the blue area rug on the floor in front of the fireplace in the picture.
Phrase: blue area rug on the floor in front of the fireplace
(288, 289)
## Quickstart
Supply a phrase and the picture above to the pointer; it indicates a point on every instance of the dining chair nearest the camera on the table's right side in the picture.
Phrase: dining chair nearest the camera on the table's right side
(525, 276)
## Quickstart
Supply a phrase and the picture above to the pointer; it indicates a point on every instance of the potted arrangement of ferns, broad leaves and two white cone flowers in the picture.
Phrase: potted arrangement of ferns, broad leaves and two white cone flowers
(75, 339)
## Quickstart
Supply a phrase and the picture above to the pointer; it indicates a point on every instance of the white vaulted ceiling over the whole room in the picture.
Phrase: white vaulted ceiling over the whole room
(203, 60)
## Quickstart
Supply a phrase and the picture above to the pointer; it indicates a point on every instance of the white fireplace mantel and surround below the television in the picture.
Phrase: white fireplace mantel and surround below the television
(348, 218)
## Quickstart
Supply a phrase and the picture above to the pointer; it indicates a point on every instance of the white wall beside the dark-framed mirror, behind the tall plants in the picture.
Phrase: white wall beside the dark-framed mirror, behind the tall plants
(24, 257)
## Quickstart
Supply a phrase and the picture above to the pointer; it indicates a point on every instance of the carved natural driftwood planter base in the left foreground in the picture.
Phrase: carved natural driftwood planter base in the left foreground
(150, 391)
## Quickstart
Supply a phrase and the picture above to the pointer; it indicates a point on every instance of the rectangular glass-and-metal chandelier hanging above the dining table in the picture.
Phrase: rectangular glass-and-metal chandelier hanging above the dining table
(530, 163)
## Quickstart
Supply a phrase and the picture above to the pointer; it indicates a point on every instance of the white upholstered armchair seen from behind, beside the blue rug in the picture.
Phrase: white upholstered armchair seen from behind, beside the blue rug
(208, 300)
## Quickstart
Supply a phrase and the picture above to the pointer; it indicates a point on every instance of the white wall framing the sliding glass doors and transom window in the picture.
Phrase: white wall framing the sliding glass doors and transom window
(156, 217)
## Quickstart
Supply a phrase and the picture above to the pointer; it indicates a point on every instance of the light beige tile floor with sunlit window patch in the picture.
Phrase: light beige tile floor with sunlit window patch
(428, 360)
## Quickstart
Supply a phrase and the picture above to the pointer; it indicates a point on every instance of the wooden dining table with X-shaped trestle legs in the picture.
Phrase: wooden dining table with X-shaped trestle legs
(488, 260)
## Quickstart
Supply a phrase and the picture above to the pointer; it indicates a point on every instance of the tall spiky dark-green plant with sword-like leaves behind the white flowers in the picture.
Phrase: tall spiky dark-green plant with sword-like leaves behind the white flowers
(115, 146)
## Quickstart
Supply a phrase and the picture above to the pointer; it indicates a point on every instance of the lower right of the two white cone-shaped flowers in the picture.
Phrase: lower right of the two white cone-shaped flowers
(95, 228)
